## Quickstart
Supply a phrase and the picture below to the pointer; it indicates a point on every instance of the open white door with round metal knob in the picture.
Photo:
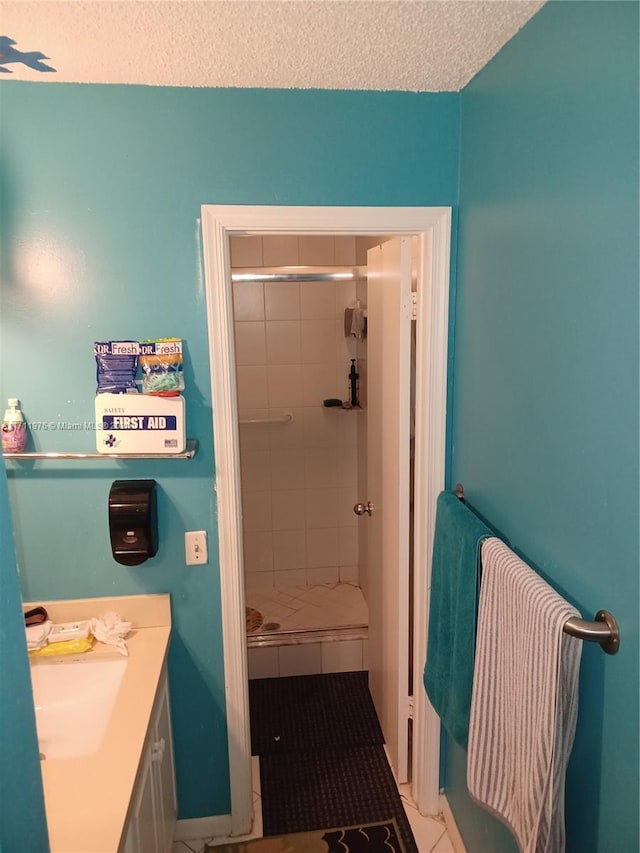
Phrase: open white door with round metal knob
(388, 402)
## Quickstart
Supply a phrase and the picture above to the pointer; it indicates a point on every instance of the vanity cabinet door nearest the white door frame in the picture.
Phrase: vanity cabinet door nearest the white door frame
(165, 791)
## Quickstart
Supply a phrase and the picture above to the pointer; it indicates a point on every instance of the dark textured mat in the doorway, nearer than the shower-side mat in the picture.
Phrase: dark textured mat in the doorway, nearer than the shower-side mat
(302, 791)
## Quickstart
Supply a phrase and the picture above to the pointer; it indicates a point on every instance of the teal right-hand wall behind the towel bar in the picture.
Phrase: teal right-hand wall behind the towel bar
(545, 405)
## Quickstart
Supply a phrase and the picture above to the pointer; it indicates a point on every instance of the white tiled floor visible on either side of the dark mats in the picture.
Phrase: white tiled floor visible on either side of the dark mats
(430, 833)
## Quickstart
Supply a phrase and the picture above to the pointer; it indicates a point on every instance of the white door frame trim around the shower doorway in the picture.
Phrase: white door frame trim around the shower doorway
(432, 226)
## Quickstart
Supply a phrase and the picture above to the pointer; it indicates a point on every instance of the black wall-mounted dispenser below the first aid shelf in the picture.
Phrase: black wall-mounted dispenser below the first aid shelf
(133, 521)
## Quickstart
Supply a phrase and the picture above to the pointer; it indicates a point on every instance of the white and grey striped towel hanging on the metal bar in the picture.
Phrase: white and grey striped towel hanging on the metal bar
(525, 701)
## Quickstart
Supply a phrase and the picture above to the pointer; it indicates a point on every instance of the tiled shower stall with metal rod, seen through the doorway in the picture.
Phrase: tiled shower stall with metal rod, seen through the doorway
(299, 307)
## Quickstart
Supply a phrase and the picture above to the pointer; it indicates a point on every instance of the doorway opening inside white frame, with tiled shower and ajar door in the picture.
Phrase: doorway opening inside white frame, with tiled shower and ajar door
(321, 434)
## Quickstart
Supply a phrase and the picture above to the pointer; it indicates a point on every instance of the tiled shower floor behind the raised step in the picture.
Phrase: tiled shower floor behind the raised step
(308, 608)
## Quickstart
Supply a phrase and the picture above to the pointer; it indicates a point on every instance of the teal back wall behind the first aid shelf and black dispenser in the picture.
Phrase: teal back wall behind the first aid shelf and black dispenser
(101, 189)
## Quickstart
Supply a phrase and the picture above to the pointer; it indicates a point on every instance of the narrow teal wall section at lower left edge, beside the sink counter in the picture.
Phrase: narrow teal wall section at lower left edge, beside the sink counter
(22, 818)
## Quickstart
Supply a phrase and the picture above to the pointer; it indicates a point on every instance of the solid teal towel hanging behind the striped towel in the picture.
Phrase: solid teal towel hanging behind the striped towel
(448, 673)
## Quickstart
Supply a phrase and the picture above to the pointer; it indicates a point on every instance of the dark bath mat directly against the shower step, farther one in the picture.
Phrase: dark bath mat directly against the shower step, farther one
(312, 711)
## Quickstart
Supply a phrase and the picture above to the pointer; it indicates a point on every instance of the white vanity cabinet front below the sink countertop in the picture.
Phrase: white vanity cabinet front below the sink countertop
(152, 818)
